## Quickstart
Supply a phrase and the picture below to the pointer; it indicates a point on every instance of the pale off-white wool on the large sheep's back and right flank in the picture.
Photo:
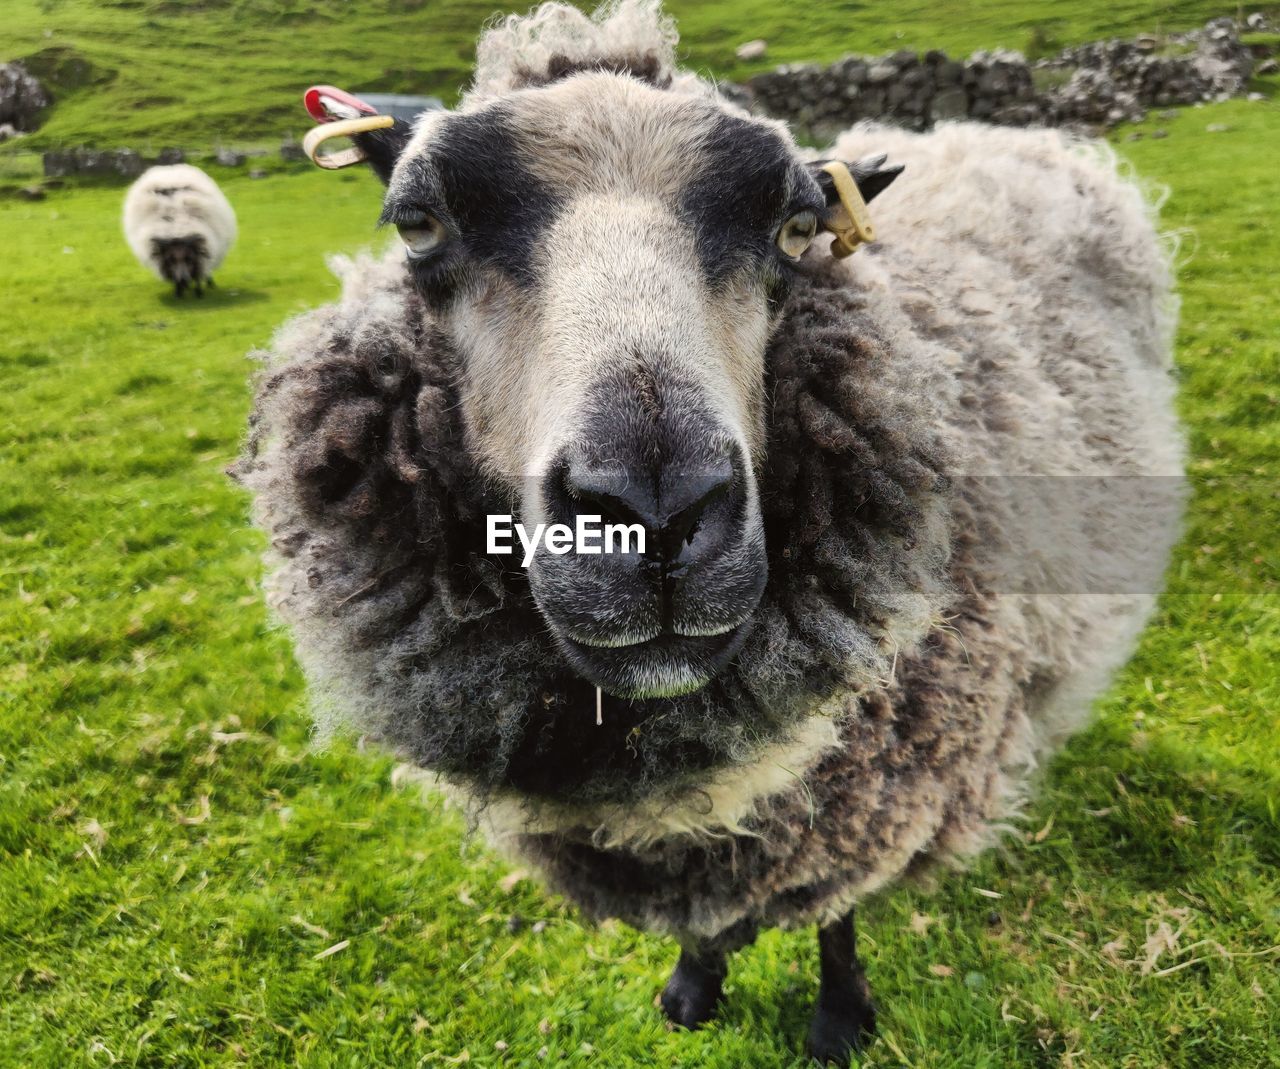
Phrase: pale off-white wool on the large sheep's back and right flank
(1041, 244)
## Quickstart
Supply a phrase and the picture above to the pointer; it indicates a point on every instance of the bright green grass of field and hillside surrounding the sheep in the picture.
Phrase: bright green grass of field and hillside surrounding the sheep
(185, 881)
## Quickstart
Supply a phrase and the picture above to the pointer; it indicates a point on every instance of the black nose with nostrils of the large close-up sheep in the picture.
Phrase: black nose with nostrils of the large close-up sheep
(680, 511)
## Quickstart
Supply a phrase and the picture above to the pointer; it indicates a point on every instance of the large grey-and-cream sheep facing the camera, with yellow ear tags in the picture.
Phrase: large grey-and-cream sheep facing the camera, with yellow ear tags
(908, 509)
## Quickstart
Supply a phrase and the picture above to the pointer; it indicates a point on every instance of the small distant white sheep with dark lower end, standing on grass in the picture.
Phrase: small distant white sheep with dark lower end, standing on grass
(180, 226)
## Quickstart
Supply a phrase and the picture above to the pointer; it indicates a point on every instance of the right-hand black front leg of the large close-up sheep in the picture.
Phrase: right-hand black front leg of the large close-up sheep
(845, 1017)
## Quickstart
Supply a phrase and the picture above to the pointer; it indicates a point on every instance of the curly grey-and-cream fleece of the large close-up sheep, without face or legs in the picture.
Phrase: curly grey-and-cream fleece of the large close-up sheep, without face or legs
(903, 678)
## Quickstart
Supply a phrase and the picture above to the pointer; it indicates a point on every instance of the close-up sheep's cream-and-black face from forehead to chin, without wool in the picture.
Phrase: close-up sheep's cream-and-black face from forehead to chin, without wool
(609, 261)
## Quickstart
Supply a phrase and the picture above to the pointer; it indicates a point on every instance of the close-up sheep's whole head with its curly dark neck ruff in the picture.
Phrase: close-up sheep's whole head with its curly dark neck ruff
(614, 314)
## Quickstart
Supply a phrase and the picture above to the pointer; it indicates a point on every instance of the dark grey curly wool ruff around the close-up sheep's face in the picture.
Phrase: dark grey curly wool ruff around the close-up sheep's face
(364, 481)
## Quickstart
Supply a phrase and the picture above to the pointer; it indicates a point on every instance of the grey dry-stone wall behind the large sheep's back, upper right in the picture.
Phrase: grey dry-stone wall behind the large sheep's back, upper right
(1089, 86)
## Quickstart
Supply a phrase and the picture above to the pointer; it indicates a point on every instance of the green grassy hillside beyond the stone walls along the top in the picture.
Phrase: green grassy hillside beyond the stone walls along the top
(149, 74)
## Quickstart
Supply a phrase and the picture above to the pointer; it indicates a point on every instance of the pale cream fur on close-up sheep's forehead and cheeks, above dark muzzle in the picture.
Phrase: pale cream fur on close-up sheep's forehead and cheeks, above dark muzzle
(618, 263)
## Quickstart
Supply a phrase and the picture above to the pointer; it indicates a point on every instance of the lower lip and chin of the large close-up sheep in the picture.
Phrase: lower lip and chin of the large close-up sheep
(668, 666)
